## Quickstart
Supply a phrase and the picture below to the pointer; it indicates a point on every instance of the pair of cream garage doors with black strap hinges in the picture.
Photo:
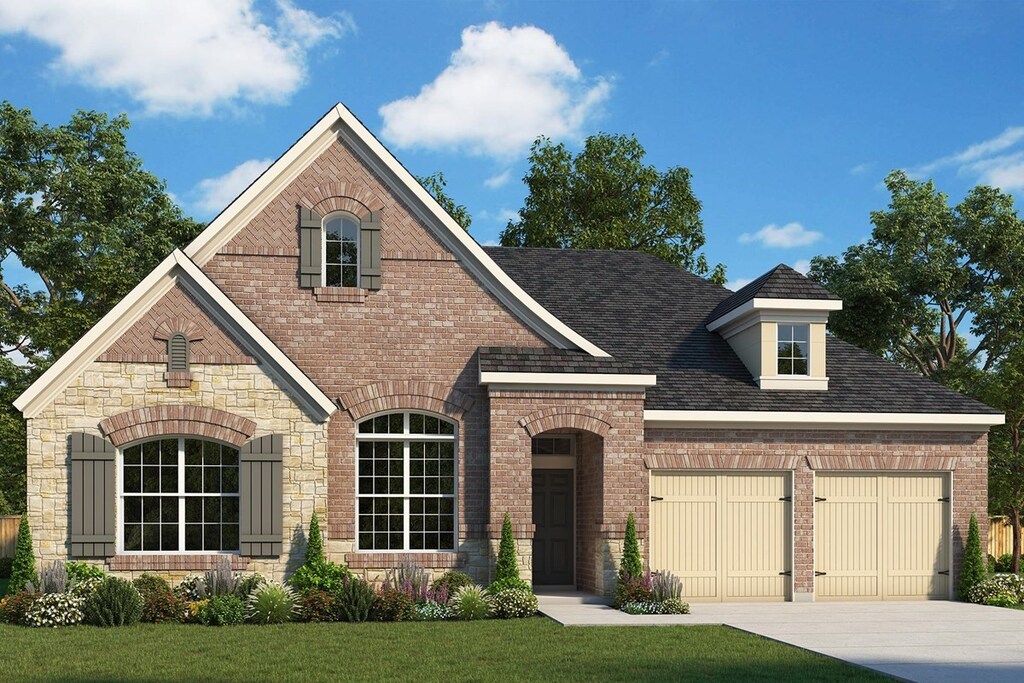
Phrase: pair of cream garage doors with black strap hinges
(730, 536)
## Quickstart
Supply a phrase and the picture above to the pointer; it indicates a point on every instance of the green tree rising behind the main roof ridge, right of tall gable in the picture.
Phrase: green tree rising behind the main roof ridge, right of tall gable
(607, 198)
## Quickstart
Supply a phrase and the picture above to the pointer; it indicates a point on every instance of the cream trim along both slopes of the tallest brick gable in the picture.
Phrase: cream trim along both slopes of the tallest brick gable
(339, 123)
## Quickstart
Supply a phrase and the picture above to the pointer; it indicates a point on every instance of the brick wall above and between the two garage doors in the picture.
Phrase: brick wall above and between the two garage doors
(964, 453)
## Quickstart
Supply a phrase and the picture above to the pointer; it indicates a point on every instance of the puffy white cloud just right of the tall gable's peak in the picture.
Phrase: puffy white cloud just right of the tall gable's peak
(502, 89)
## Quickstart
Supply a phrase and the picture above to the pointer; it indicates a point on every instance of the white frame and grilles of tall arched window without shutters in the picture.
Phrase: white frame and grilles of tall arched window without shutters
(406, 438)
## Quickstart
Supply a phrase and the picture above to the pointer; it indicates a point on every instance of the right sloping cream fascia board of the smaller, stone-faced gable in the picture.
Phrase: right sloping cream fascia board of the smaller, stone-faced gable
(313, 394)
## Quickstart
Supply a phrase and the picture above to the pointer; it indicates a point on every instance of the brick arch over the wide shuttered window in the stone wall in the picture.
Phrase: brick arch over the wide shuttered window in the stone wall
(185, 420)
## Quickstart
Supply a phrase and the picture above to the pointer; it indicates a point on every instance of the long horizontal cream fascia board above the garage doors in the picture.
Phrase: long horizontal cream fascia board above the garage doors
(795, 419)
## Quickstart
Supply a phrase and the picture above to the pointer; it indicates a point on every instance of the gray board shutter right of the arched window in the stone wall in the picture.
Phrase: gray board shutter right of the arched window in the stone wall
(262, 497)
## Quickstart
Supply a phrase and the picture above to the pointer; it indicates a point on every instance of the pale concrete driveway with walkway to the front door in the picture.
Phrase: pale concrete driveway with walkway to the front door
(916, 642)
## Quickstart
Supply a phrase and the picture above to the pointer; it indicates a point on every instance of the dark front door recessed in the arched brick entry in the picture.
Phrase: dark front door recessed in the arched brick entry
(553, 541)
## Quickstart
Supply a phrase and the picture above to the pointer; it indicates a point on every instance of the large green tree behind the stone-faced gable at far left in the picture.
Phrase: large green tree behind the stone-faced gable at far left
(79, 212)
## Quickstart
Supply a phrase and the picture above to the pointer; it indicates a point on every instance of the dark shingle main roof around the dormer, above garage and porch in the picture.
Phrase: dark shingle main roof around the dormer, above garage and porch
(651, 317)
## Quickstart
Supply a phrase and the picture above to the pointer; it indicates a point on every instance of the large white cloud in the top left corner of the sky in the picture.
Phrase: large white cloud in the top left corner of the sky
(183, 58)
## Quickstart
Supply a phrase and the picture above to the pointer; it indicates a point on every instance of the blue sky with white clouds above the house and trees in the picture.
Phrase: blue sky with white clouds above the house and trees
(789, 114)
